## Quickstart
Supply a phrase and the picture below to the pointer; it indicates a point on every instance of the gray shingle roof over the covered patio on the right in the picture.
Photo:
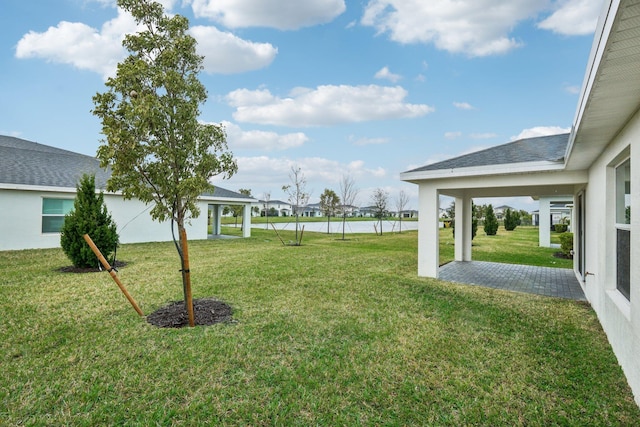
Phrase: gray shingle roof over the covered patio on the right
(542, 148)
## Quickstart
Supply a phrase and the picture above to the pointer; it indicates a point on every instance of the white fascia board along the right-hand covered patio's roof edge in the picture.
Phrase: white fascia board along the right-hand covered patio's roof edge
(506, 169)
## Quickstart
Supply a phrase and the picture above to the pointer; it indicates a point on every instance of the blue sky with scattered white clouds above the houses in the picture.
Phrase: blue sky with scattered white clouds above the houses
(367, 88)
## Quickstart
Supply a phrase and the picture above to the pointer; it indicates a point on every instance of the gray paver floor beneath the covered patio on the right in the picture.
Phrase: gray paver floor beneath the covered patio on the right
(552, 282)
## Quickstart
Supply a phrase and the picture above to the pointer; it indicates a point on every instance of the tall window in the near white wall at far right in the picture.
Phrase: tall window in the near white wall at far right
(623, 228)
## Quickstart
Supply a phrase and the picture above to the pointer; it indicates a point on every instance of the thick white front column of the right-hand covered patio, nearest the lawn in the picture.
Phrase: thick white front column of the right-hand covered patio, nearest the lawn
(428, 231)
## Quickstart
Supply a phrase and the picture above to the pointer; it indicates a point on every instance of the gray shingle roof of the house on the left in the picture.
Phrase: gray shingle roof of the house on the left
(25, 162)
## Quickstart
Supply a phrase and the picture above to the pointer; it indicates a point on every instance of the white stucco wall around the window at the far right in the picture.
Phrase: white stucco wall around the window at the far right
(620, 318)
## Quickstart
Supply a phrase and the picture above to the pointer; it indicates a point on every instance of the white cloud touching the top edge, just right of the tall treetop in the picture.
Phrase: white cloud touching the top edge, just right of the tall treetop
(280, 14)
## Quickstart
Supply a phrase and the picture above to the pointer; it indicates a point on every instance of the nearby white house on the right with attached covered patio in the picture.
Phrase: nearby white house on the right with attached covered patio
(598, 163)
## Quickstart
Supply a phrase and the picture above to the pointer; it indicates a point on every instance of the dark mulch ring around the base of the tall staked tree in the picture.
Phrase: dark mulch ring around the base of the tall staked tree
(207, 311)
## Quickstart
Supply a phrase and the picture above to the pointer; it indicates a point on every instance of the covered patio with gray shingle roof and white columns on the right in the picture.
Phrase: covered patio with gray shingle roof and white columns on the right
(527, 167)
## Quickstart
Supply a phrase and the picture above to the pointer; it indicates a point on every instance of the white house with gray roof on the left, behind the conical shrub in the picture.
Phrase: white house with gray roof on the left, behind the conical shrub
(38, 187)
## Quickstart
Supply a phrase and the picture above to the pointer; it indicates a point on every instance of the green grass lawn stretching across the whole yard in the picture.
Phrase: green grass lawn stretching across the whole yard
(329, 333)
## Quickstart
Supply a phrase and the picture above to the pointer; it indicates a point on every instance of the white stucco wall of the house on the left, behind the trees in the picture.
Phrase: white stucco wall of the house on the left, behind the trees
(21, 225)
